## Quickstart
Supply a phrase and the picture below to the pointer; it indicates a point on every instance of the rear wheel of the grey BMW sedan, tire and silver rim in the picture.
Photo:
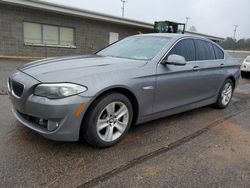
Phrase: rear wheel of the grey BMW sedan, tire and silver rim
(225, 94)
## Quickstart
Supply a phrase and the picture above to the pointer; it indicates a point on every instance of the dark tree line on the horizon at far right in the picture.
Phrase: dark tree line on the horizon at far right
(232, 44)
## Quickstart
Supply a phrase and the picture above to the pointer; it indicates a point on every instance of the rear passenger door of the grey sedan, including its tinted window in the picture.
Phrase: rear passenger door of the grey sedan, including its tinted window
(211, 64)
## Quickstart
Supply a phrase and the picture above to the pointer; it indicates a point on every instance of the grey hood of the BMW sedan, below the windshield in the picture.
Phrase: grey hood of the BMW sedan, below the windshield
(66, 69)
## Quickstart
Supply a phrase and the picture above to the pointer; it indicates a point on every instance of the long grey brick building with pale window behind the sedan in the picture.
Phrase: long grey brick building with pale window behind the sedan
(32, 28)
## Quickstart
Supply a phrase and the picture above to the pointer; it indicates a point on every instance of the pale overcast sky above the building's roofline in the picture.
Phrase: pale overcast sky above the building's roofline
(215, 17)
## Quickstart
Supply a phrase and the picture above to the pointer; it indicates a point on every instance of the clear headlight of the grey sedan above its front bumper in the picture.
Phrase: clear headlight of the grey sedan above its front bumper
(60, 90)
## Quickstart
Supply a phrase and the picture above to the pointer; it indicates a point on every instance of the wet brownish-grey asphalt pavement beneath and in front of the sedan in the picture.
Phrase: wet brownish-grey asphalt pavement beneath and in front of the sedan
(205, 147)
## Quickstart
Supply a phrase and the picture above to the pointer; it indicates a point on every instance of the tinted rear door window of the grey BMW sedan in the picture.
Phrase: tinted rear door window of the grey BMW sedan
(204, 50)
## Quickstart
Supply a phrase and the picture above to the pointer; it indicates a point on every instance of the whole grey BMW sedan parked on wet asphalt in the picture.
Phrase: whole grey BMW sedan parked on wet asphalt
(138, 79)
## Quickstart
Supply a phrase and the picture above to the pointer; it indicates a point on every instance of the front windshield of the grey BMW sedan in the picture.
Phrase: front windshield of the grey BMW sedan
(138, 47)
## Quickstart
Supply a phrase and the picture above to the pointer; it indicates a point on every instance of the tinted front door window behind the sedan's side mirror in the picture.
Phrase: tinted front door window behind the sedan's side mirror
(184, 48)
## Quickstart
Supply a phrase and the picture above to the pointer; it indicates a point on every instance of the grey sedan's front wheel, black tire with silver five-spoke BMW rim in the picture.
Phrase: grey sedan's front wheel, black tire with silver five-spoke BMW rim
(108, 120)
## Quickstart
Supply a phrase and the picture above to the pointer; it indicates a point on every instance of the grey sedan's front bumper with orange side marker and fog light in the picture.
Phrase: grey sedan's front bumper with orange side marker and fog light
(58, 119)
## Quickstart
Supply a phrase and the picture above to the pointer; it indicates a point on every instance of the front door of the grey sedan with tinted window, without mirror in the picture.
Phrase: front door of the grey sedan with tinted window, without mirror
(178, 85)
